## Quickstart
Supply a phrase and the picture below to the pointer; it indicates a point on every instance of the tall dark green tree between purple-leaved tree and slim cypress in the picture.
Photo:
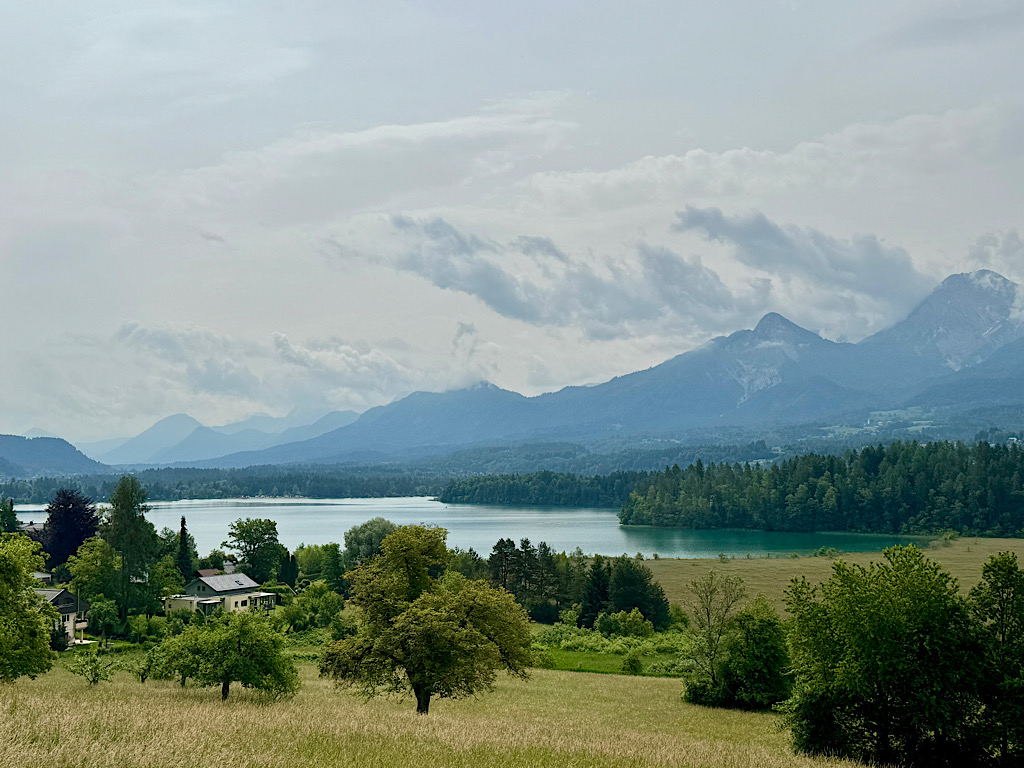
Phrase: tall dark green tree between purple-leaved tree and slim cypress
(135, 538)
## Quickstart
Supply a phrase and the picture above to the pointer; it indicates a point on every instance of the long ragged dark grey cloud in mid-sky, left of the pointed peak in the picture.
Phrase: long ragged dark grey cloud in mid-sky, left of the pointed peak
(532, 280)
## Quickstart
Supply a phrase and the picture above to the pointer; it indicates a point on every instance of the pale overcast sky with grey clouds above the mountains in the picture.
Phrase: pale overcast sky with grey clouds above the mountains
(224, 208)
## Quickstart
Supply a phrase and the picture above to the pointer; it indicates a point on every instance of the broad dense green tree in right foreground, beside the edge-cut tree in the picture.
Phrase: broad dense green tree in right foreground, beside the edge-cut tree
(887, 664)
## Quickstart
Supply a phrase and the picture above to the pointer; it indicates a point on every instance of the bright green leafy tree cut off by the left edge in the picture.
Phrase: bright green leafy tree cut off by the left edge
(26, 619)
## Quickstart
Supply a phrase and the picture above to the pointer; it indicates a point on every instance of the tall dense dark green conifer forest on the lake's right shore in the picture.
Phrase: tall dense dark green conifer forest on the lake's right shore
(906, 488)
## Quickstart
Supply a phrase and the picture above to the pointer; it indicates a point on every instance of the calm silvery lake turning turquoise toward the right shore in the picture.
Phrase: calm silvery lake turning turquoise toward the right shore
(594, 531)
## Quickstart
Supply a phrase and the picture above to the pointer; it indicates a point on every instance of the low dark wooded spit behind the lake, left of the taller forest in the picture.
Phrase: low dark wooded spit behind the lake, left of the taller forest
(544, 489)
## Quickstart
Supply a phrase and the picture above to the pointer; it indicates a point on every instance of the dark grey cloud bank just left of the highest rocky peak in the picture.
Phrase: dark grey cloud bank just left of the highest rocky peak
(862, 265)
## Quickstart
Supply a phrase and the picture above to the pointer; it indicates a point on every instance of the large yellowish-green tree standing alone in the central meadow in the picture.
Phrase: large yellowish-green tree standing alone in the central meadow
(423, 630)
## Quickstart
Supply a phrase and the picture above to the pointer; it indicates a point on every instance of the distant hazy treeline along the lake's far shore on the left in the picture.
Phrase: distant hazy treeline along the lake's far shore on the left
(174, 485)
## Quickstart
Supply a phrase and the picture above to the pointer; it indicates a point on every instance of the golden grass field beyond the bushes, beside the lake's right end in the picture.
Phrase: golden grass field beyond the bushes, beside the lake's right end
(771, 577)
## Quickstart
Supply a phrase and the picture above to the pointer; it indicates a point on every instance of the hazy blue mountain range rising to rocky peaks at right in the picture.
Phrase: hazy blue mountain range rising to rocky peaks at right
(961, 349)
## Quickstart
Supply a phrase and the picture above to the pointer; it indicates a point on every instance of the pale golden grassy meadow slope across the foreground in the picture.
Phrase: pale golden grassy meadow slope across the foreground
(556, 719)
